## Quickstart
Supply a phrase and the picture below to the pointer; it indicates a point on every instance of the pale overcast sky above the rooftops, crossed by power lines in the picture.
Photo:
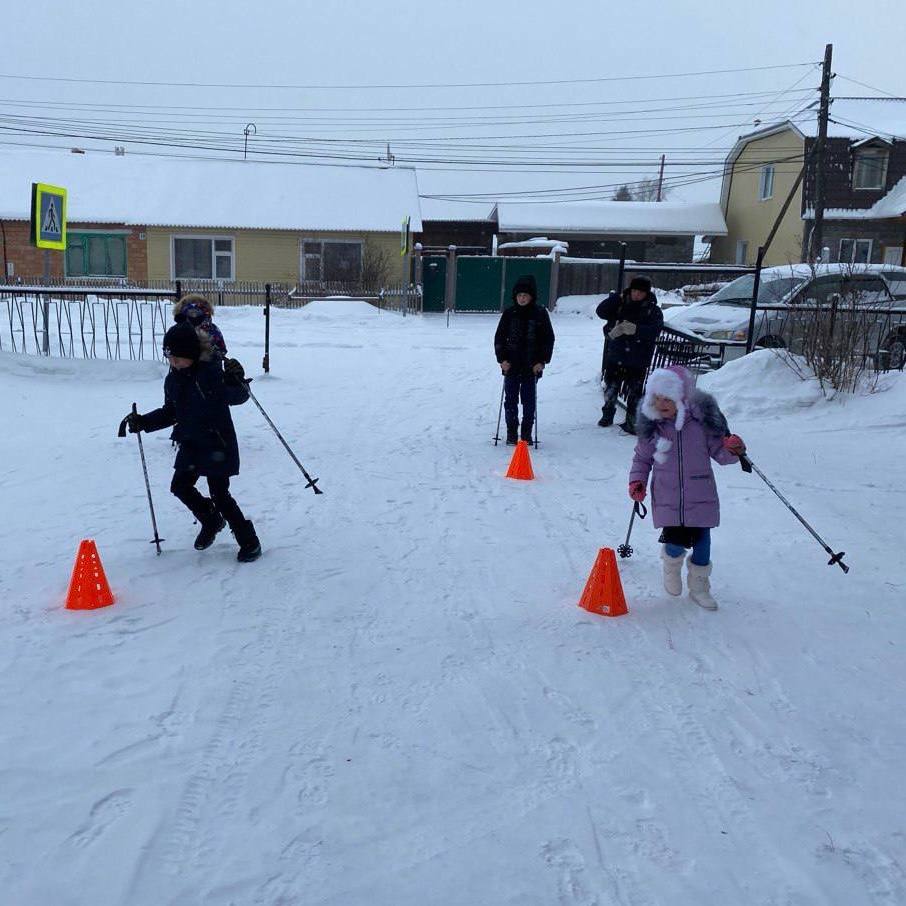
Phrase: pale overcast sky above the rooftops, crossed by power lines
(613, 85)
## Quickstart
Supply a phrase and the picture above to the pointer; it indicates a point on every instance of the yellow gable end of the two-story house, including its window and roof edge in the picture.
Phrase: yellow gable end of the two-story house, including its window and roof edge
(759, 174)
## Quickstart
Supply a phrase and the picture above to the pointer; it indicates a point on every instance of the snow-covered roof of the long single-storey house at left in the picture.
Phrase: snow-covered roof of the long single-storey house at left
(193, 192)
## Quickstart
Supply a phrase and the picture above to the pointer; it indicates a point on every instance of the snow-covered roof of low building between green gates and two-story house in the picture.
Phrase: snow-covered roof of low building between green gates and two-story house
(664, 218)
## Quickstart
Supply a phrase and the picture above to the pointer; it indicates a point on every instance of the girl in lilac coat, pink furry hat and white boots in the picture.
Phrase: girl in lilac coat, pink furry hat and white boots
(680, 430)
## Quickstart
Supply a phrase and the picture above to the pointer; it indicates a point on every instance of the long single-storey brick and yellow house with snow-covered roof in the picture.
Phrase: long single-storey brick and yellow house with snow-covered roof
(226, 220)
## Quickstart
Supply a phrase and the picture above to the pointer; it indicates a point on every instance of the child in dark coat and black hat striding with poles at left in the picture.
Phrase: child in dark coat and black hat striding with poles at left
(198, 392)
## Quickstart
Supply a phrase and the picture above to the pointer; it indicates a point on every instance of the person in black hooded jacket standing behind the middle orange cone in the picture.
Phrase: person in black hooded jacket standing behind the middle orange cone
(523, 344)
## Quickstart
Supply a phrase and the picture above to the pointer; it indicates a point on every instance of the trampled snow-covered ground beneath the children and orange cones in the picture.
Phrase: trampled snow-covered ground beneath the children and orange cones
(401, 702)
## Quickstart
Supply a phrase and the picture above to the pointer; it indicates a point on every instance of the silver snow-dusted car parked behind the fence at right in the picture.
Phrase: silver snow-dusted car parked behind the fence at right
(789, 294)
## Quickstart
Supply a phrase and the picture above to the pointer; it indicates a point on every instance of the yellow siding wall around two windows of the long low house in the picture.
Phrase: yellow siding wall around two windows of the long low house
(263, 255)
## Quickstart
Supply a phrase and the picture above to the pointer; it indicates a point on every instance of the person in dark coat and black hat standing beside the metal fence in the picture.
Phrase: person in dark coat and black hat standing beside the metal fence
(634, 321)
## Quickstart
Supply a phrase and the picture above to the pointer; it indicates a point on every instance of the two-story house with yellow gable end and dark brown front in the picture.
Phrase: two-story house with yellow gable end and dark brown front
(865, 186)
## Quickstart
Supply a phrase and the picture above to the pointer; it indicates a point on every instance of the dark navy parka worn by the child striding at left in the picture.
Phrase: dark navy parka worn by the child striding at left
(196, 402)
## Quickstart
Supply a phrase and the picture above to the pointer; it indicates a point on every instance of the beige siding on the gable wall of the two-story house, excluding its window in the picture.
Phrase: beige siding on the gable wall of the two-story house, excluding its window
(748, 218)
